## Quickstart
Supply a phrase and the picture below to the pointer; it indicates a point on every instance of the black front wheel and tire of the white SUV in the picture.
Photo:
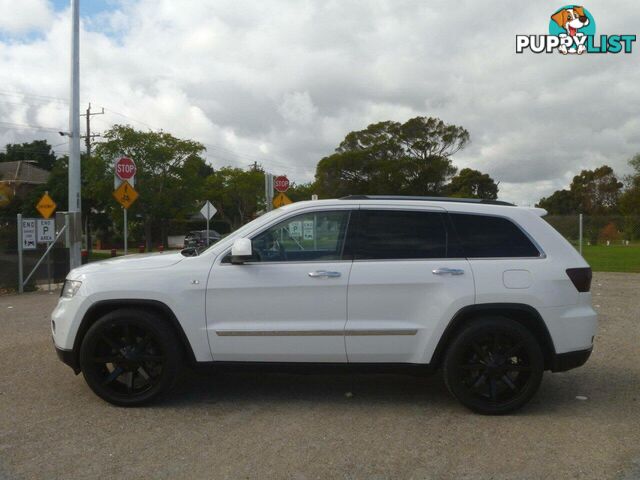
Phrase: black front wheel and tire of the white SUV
(130, 357)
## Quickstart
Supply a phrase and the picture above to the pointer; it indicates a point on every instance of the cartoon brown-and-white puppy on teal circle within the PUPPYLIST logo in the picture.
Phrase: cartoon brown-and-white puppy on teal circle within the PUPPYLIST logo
(571, 20)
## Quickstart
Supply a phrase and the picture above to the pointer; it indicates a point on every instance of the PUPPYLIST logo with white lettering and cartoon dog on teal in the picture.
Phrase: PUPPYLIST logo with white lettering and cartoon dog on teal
(572, 30)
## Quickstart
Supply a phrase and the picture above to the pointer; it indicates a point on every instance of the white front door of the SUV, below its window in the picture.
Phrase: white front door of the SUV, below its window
(277, 312)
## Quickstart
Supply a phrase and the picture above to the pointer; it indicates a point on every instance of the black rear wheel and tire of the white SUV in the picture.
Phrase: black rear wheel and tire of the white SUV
(493, 366)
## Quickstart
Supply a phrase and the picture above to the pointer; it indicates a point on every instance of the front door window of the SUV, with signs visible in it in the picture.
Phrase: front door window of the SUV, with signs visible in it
(314, 236)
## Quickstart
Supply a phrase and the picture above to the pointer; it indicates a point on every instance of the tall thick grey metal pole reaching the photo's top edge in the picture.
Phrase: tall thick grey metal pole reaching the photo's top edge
(74, 140)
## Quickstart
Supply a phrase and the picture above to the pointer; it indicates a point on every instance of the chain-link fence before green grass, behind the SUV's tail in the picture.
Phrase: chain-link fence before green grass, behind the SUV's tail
(610, 243)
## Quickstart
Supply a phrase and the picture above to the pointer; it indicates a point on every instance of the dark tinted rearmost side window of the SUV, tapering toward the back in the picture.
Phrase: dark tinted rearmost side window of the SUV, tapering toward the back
(484, 236)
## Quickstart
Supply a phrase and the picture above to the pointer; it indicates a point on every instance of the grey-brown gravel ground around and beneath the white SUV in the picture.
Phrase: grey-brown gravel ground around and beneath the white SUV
(311, 426)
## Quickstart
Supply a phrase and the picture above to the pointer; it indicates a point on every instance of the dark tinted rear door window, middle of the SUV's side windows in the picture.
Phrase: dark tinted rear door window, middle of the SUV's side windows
(396, 234)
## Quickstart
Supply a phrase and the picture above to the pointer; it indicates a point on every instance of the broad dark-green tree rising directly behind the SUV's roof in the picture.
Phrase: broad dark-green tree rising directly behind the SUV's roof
(412, 158)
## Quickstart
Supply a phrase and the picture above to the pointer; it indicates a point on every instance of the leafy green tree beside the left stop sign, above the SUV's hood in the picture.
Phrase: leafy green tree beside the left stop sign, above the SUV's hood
(168, 176)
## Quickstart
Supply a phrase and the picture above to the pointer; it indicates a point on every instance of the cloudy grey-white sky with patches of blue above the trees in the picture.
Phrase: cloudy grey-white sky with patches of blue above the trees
(282, 82)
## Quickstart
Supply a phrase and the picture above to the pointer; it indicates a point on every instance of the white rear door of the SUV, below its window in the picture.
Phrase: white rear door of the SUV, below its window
(397, 309)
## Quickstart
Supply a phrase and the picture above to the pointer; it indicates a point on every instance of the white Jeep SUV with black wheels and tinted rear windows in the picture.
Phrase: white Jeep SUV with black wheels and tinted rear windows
(486, 291)
